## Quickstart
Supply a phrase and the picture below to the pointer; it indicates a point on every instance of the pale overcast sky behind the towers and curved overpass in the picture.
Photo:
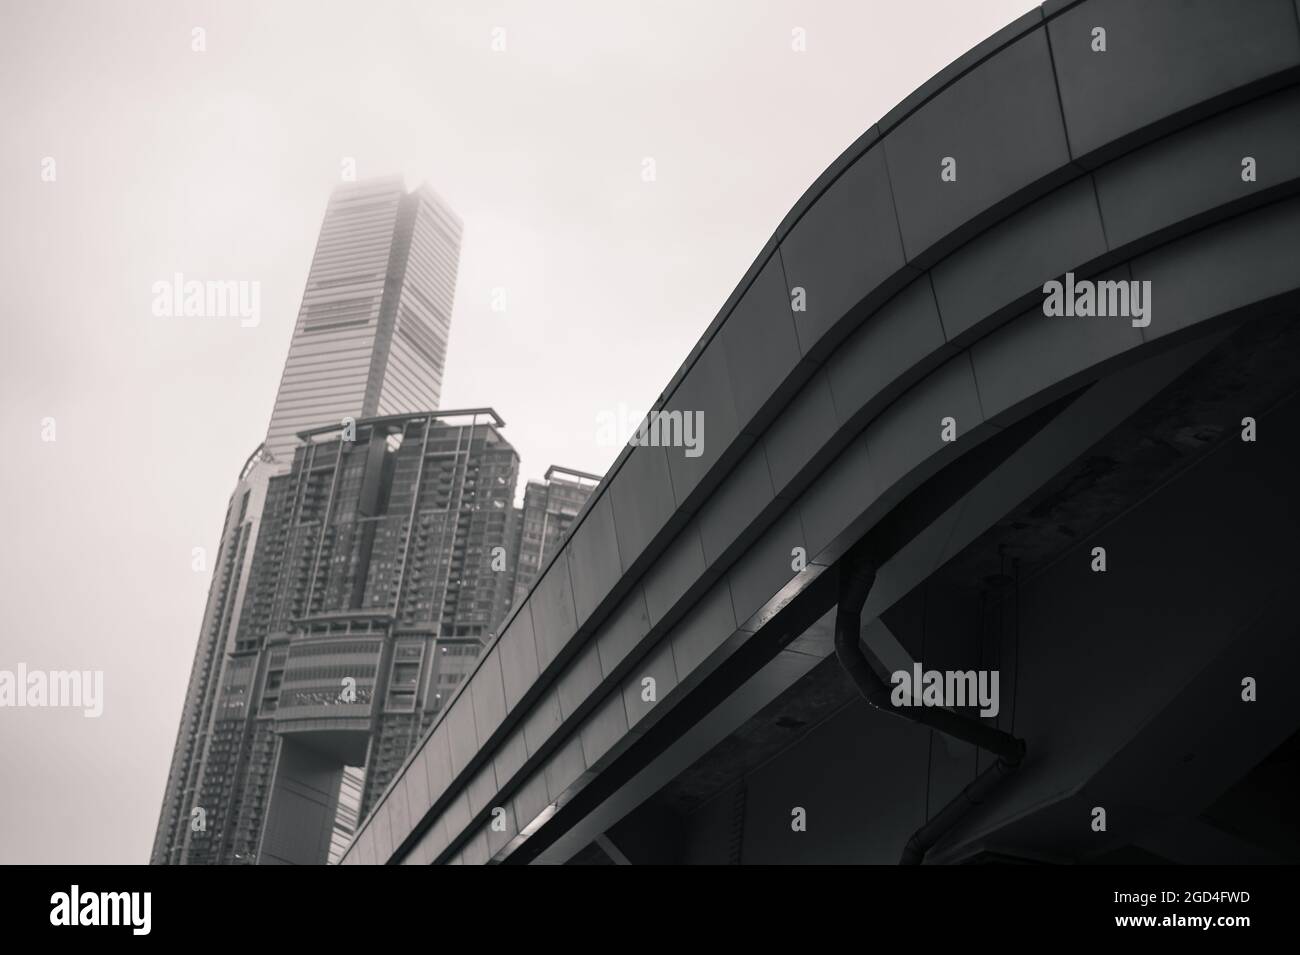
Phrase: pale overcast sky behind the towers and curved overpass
(219, 164)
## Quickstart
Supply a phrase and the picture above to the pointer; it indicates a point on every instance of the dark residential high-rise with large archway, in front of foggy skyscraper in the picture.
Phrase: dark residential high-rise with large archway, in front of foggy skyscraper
(375, 584)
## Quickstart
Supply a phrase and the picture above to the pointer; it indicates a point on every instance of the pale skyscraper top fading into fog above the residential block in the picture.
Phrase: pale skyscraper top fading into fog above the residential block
(372, 331)
